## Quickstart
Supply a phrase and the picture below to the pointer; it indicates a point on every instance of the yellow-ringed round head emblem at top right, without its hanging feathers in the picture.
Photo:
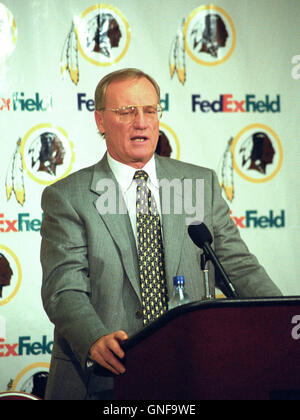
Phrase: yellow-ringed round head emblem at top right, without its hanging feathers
(209, 35)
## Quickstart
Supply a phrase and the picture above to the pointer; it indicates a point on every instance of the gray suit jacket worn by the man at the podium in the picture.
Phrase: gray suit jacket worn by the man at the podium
(90, 275)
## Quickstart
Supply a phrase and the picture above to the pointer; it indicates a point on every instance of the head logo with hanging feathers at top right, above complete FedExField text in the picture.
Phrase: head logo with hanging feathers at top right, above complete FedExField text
(207, 35)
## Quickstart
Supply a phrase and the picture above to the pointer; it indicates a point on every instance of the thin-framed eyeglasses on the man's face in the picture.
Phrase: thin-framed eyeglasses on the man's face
(128, 113)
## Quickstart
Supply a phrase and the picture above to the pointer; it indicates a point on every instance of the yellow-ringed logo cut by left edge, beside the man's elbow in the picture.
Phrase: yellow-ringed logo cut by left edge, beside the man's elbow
(10, 275)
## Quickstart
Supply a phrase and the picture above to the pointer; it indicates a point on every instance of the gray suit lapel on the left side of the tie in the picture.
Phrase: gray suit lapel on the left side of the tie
(117, 222)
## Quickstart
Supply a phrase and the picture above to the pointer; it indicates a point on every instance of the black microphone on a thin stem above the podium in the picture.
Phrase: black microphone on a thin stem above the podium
(201, 236)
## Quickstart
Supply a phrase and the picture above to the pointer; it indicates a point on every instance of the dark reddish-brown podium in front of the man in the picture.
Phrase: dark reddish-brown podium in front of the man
(220, 349)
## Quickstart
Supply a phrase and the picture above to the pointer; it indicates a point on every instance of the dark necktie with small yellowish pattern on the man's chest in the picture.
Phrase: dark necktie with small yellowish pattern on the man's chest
(150, 252)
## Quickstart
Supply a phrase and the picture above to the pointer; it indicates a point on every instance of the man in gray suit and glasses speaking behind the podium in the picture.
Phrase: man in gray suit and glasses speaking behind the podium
(91, 280)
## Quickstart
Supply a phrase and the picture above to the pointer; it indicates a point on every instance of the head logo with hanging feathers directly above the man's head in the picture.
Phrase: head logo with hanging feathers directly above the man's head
(101, 34)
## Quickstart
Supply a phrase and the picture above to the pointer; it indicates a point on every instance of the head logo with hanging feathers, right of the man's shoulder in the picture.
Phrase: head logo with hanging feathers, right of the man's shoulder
(255, 154)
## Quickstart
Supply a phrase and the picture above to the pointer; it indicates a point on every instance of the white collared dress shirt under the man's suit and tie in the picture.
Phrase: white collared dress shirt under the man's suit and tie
(124, 175)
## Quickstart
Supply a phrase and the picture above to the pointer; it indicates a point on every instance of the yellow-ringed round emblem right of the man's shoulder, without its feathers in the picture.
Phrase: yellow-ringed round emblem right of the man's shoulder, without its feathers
(257, 153)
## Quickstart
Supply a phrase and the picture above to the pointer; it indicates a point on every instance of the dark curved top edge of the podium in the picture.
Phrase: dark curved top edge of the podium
(207, 304)
